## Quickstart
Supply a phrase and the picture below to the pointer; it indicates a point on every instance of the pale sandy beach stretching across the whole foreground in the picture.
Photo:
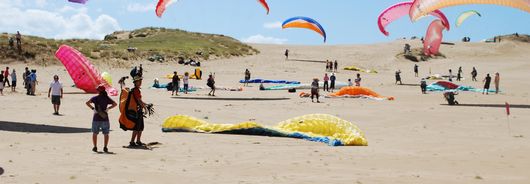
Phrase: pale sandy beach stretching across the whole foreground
(414, 139)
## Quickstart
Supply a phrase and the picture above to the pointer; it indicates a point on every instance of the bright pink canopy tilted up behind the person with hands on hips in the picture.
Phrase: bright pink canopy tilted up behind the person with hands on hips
(83, 73)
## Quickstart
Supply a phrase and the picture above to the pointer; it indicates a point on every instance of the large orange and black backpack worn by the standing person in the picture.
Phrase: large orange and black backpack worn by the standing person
(129, 113)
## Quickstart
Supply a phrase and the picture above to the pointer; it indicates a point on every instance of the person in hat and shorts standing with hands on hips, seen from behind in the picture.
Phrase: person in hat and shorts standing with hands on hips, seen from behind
(100, 119)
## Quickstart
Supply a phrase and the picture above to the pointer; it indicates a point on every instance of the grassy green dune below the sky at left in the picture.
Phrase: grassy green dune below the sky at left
(171, 44)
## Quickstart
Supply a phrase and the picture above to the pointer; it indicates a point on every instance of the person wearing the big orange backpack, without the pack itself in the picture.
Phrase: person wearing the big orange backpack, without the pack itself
(139, 127)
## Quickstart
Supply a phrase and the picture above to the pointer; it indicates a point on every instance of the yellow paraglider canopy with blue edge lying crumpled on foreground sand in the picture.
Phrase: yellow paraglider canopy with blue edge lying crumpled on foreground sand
(314, 127)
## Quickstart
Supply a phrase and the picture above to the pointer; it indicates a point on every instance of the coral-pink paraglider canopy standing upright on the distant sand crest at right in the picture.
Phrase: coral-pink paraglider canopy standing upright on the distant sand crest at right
(433, 38)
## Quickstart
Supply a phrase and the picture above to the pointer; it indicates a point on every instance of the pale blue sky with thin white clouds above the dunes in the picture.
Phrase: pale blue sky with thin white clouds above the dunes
(345, 21)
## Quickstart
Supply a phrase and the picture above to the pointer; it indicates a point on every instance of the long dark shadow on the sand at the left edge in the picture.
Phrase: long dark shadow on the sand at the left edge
(34, 128)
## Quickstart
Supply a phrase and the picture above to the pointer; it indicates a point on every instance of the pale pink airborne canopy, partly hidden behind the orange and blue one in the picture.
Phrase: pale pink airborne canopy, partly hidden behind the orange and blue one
(399, 10)
